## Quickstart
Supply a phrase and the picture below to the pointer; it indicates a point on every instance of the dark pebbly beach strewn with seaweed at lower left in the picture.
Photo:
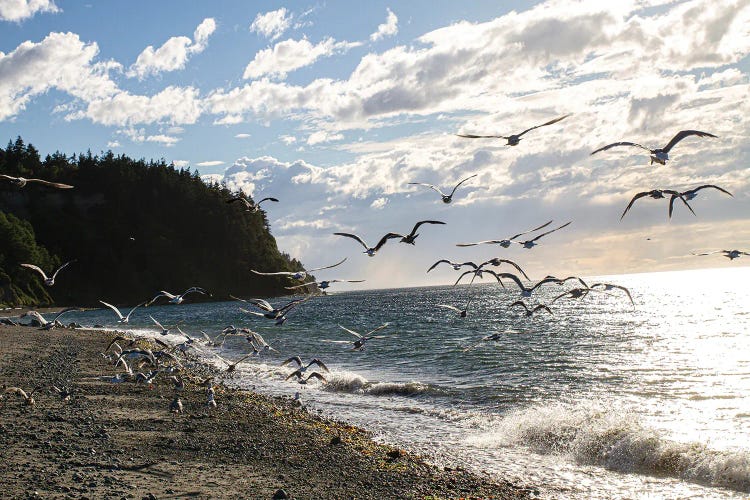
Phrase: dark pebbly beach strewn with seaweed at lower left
(121, 441)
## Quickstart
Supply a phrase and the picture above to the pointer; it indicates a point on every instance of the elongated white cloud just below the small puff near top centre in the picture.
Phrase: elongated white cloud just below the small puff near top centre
(290, 55)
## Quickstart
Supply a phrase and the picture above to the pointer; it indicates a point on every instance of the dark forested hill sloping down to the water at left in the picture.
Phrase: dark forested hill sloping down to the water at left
(134, 228)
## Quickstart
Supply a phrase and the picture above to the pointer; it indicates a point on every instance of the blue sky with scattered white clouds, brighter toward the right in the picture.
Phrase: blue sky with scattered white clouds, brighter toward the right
(334, 107)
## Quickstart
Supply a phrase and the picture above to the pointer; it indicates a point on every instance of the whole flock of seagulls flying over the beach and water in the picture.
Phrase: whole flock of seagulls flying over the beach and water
(143, 363)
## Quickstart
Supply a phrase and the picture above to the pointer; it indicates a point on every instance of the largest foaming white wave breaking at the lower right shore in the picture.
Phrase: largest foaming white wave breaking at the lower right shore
(615, 440)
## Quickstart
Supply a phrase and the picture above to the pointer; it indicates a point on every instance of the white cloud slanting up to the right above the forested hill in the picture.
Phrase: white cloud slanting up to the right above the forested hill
(175, 52)
